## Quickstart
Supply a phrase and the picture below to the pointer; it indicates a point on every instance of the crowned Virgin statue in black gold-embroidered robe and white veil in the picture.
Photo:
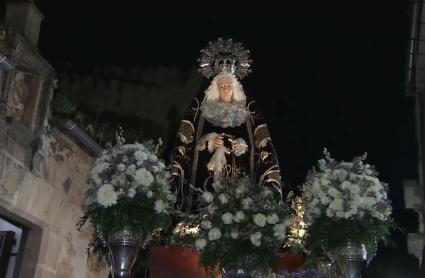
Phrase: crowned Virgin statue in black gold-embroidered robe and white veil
(223, 133)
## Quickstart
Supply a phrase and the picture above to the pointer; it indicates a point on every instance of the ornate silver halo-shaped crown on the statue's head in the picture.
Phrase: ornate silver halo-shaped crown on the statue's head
(224, 56)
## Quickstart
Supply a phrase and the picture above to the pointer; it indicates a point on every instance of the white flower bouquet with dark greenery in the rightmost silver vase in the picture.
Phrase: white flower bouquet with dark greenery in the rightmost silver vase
(344, 201)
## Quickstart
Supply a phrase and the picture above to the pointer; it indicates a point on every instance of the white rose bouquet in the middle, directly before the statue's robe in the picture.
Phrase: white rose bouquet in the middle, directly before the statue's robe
(239, 220)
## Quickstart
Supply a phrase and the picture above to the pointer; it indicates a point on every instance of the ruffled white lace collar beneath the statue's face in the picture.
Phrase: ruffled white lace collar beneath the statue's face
(224, 114)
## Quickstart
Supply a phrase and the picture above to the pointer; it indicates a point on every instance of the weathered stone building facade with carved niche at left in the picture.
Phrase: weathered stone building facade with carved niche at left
(43, 170)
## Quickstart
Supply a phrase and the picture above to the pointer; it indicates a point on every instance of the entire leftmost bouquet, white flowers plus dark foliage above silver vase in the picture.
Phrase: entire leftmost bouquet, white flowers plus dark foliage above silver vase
(128, 186)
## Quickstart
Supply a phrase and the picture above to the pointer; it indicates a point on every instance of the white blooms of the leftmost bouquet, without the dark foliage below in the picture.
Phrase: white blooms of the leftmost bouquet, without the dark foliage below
(126, 171)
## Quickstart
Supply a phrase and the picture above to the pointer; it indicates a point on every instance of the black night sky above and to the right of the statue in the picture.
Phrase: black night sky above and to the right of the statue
(326, 75)
